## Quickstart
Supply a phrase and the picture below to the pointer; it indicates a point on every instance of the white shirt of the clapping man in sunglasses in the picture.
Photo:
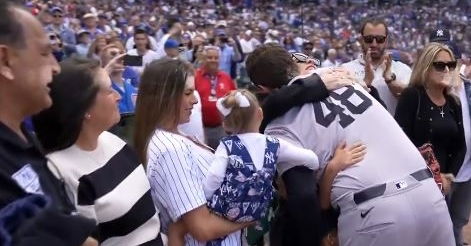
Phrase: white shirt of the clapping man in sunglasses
(401, 70)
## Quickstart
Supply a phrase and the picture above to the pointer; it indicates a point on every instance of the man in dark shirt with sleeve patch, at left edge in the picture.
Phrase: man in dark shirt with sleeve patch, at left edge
(26, 67)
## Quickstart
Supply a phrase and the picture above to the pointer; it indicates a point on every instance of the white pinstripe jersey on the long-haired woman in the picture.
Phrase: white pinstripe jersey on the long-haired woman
(176, 168)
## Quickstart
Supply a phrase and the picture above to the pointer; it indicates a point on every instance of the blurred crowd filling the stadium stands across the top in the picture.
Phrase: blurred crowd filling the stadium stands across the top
(326, 30)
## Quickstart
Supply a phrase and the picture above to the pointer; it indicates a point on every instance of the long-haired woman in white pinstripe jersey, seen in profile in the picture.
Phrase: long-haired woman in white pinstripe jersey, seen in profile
(176, 164)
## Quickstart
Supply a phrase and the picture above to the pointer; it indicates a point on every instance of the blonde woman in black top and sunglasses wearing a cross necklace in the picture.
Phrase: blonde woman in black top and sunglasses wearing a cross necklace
(428, 112)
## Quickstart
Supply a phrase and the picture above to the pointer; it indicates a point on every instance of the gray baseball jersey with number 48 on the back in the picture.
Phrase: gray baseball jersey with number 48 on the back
(390, 154)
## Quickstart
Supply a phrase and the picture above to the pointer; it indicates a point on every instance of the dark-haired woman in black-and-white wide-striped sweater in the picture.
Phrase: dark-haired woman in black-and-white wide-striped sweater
(96, 166)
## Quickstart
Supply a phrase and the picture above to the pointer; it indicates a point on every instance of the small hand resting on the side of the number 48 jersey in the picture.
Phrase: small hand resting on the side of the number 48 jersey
(347, 156)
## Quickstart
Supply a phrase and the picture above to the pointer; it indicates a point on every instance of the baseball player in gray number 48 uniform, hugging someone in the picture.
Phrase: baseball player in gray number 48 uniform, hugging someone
(389, 198)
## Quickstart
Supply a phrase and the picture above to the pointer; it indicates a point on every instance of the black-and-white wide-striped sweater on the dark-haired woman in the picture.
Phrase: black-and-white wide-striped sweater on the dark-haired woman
(110, 185)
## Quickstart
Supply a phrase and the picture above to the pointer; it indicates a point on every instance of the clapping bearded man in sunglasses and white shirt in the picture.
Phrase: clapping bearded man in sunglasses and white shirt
(375, 67)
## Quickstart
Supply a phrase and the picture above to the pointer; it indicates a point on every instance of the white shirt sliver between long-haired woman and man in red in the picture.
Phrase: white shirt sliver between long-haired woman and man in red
(194, 128)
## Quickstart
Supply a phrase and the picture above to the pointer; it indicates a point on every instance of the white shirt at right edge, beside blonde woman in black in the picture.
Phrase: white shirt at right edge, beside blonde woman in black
(464, 173)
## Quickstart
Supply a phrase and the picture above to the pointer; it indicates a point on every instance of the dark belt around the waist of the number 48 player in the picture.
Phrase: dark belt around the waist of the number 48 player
(379, 190)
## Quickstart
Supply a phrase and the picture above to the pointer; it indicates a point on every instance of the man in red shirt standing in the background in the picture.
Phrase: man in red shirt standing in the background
(212, 83)
